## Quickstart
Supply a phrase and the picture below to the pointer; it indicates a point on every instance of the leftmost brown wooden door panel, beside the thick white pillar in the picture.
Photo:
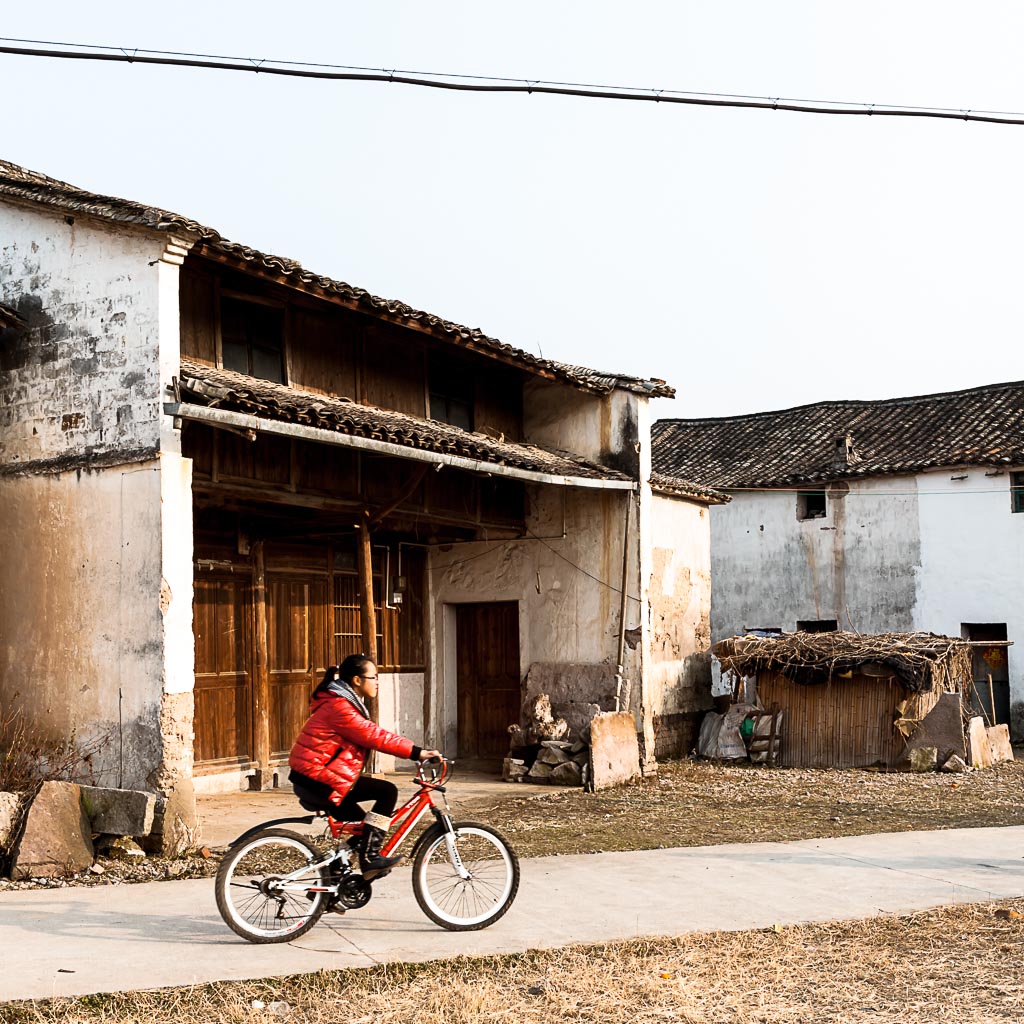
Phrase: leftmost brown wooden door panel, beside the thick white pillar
(223, 626)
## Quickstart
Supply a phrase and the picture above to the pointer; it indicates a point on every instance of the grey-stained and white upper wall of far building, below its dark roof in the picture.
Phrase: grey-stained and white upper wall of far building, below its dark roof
(925, 552)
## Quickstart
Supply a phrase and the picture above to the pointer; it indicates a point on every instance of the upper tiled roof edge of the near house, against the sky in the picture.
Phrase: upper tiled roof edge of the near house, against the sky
(21, 184)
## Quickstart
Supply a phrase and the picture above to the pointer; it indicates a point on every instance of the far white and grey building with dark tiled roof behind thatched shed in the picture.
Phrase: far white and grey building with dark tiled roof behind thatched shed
(873, 517)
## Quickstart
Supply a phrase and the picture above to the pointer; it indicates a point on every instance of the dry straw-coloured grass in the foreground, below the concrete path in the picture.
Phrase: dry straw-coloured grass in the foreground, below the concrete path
(958, 964)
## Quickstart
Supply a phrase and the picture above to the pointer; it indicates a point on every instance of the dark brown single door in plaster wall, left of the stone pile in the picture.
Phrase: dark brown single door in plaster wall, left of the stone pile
(488, 686)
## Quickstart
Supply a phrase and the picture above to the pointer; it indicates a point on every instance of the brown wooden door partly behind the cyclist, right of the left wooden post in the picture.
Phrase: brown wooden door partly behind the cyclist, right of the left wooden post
(297, 647)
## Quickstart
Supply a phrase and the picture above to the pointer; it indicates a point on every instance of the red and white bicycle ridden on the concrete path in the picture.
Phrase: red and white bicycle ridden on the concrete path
(274, 884)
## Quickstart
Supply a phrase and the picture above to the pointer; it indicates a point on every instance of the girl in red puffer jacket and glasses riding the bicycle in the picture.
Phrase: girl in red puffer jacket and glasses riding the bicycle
(328, 757)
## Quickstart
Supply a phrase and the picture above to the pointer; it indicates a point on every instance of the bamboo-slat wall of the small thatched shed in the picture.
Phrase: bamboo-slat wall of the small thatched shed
(846, 723)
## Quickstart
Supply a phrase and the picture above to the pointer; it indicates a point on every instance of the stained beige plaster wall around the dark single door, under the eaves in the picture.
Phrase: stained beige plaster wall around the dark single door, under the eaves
(566, 583)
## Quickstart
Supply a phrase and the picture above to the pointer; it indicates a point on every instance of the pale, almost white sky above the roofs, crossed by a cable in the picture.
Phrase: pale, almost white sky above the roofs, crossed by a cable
(754, 260)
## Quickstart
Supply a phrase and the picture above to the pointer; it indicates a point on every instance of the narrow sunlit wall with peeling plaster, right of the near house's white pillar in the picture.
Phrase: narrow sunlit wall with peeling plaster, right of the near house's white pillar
(679, 664)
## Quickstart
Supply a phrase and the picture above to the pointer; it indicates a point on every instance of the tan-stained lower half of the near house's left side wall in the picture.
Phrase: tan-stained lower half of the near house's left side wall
(80, 612)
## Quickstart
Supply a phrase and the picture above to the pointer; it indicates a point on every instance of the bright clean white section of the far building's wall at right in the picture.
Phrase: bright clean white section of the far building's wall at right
(972, 553)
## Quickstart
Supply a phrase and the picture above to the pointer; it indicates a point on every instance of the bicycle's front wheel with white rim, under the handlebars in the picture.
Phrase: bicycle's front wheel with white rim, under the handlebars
(476, 898)
